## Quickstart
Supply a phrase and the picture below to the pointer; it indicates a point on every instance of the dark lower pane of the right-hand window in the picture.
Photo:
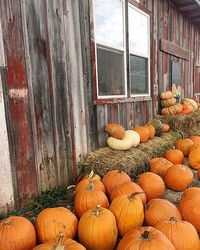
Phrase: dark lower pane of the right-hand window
(139, 75)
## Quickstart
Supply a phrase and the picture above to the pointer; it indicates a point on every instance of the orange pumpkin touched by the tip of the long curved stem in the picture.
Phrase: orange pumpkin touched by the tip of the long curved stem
(152, 184)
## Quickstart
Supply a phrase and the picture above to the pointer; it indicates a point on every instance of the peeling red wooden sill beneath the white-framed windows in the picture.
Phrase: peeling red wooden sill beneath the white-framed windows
(122, 100)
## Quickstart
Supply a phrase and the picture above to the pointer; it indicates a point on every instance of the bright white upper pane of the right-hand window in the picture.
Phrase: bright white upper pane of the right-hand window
(138, 32)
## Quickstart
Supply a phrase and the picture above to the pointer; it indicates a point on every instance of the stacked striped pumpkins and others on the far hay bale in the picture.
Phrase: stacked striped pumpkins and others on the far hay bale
(170, 107)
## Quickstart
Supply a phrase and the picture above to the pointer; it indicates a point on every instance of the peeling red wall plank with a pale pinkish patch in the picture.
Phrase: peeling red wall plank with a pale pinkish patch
(22, 150)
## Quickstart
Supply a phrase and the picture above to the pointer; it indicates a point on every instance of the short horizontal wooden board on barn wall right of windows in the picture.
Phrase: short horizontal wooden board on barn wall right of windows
(174, 49)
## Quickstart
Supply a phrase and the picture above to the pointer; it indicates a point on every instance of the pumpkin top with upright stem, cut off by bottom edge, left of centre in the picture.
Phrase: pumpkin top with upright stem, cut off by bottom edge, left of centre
(60, 244)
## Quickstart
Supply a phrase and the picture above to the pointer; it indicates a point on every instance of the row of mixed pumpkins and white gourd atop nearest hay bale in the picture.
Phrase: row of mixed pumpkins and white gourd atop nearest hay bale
(121, 139)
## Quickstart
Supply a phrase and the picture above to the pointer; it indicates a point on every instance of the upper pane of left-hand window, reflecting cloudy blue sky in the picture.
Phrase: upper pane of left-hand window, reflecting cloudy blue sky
(109, 22)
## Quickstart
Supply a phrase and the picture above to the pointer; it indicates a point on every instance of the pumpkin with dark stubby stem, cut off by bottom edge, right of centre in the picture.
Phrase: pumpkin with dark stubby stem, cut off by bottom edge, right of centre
(145, 238)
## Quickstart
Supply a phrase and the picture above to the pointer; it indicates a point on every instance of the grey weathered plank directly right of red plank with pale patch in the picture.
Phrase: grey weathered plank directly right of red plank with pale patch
(38, 61)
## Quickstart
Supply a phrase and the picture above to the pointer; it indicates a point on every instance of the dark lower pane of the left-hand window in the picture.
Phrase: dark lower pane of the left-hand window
(110, 64)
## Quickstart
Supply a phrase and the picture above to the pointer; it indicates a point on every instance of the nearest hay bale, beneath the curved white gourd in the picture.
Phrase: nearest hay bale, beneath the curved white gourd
(133, 161)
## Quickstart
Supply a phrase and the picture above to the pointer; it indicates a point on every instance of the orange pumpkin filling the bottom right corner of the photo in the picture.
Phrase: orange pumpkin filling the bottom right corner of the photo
(182, 234)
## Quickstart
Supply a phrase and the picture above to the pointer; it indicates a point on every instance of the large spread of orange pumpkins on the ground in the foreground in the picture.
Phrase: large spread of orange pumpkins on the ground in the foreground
(115, 208)
